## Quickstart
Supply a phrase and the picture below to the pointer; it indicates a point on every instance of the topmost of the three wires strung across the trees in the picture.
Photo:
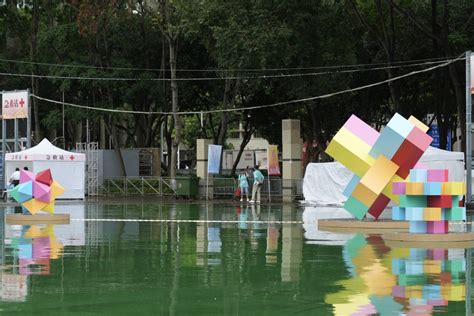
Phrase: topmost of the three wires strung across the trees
(407, 62)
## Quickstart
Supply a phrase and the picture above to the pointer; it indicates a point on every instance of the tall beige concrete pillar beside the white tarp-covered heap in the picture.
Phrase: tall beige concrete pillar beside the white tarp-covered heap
(291, 157)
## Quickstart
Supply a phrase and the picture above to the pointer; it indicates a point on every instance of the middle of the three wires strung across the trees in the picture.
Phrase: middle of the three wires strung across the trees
(310, 74)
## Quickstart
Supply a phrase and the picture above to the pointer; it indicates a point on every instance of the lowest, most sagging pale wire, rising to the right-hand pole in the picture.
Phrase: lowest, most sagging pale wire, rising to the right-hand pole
(324, 96)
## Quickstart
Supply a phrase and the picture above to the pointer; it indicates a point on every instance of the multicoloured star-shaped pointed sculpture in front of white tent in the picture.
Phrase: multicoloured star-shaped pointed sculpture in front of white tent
(37, 192)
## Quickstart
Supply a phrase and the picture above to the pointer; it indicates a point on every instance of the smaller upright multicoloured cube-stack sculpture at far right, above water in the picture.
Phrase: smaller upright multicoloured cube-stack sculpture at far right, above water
(428, 201)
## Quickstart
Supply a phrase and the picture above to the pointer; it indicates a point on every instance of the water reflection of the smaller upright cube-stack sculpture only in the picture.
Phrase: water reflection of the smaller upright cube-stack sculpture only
(427, 278)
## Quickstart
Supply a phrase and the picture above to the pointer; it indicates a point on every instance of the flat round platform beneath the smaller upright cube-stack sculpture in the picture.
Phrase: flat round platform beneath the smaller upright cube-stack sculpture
(450, 240)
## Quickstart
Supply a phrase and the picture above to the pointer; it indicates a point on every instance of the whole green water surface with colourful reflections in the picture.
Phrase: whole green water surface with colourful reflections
(218, 259)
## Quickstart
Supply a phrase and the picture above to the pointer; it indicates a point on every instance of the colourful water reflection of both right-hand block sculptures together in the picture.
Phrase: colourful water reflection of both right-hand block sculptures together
(389, 280)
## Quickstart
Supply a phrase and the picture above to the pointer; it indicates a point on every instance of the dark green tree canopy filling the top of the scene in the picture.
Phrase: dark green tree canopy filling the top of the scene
(222, 56)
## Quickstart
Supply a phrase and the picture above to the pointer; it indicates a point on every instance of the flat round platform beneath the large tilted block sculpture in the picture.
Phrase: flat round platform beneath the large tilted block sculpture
(350, 225)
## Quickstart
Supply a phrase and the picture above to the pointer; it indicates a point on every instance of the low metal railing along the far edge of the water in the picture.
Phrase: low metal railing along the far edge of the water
(223, 187)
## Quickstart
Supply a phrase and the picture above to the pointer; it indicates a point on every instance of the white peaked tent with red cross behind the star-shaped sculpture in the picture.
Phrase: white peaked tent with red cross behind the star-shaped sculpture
(67, 168)
